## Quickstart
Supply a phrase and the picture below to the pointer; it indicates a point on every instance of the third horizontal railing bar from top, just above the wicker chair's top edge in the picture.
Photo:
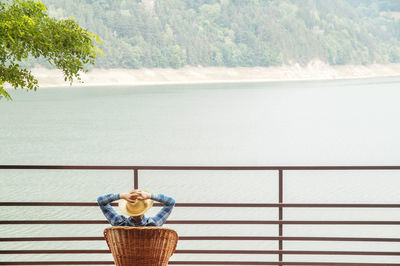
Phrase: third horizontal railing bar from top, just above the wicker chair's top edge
(207, 222)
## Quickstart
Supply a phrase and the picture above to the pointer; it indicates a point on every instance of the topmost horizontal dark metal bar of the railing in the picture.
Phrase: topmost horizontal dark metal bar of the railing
(114, 167)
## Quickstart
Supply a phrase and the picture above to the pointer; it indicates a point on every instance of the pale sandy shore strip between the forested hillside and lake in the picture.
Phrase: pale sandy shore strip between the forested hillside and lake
(315, 70)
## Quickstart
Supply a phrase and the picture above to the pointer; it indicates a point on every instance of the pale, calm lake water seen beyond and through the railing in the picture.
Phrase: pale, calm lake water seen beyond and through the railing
(346, 122)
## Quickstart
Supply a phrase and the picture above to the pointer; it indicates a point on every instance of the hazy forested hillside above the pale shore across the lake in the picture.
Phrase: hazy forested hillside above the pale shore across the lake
(175, 33)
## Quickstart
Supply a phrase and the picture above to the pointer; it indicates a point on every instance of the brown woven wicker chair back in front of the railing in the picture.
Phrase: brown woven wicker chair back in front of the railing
(141, 246)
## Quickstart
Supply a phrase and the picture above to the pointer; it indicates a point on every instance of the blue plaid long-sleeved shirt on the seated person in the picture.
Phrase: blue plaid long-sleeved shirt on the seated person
(115, 218)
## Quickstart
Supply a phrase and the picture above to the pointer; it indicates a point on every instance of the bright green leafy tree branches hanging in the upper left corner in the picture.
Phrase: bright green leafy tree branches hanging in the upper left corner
(26, 30)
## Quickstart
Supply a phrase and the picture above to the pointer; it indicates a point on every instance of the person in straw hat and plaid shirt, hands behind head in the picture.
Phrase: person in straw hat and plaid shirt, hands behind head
(134, 204)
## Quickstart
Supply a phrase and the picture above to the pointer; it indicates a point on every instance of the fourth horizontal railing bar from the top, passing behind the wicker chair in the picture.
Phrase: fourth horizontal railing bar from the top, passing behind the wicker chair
(209, 238)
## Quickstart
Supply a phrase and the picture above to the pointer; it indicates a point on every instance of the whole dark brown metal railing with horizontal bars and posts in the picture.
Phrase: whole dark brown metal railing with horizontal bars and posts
(279, 237)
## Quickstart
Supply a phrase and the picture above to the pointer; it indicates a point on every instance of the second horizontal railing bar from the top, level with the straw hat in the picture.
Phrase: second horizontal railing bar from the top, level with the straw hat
(211, 205)
